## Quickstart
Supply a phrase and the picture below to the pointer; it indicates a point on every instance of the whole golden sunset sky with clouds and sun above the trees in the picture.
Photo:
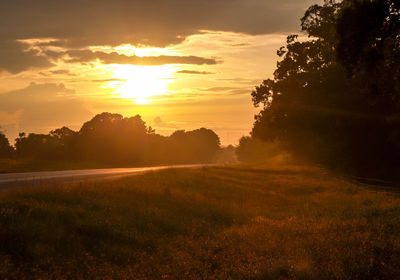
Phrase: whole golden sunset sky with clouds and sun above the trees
(180, 64)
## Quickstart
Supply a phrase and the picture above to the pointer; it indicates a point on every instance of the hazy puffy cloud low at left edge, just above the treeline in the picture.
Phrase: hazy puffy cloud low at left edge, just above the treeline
(41, 107)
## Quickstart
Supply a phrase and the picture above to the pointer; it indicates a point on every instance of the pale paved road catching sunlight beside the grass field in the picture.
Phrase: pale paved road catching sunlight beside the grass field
(12, 180)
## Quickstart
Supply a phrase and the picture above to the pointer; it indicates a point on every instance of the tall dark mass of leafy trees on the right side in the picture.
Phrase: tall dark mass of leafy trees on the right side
(331, 100)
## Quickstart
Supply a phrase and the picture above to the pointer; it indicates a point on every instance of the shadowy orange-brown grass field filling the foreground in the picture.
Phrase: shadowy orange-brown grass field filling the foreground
(232, 222)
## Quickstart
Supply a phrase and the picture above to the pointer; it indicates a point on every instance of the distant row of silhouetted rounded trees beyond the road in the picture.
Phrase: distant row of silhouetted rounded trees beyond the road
(111, 139)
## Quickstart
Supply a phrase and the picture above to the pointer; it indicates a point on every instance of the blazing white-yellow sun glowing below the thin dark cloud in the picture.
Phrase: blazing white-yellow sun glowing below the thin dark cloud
(140, 83)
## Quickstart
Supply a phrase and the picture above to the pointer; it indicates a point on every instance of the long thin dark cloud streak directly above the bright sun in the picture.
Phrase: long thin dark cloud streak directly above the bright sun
(82, 56)
